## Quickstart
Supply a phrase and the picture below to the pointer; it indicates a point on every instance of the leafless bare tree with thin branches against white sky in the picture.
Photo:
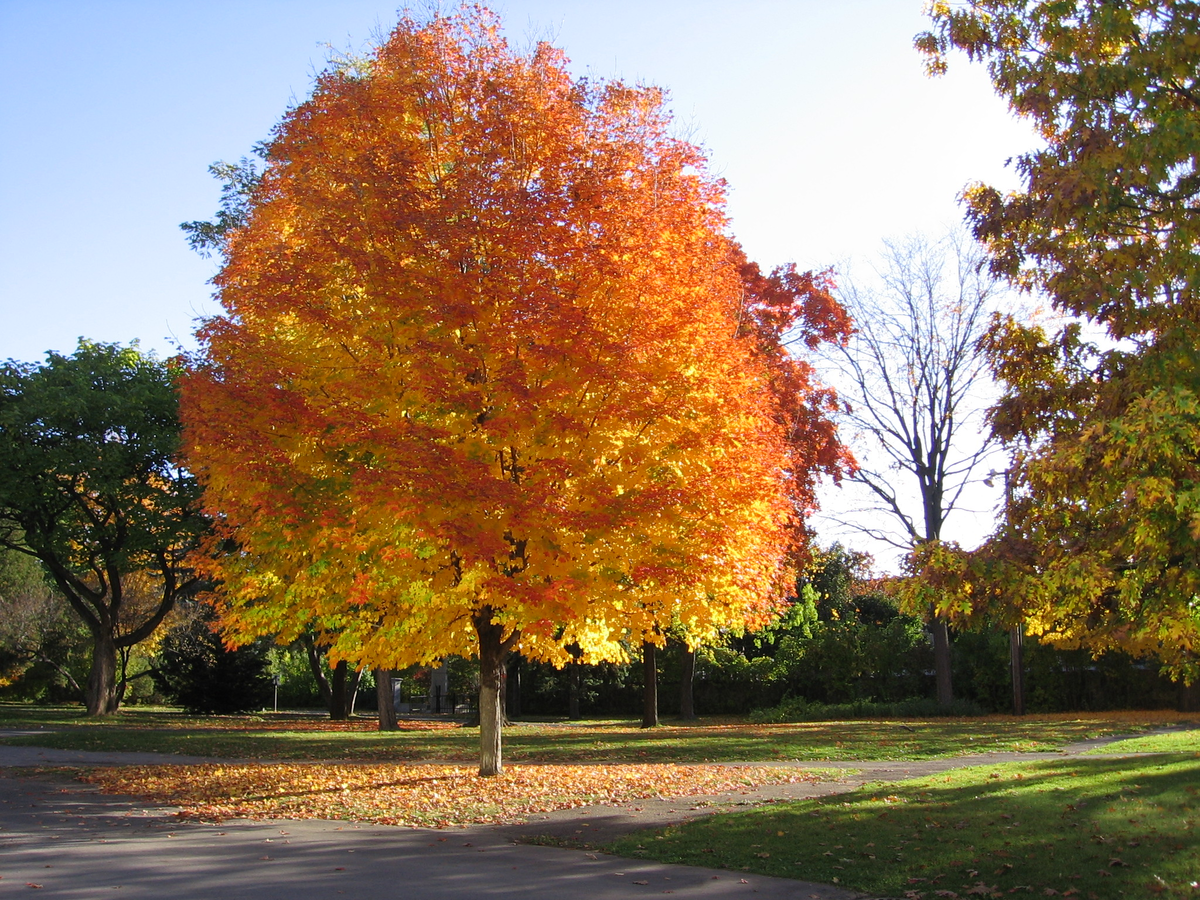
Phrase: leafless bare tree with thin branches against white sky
(917, 385)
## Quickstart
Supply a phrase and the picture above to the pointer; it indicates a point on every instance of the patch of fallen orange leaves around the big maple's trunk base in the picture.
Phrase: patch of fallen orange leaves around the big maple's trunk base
(421, 796)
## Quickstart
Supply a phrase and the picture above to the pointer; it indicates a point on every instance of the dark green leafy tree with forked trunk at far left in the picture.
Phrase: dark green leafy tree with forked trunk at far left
(89, 487)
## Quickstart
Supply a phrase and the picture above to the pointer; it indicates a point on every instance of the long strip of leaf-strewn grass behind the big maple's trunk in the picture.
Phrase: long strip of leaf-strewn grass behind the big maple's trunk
(284, 737)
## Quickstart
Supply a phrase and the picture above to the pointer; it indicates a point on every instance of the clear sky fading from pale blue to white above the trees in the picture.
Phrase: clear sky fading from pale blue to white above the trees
(818, 115)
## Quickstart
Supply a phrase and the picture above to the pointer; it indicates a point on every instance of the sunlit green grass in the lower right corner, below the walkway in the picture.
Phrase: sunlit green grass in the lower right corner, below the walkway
(1082, 827)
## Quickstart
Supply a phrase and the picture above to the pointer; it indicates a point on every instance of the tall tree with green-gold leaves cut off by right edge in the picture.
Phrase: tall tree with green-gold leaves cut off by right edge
(1103, 410)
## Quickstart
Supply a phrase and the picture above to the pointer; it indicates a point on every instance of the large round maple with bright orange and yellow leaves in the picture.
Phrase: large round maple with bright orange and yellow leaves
(490, 374)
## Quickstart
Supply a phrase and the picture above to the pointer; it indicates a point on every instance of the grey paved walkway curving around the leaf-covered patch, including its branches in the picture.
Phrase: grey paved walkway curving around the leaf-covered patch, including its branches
(74, 843)
